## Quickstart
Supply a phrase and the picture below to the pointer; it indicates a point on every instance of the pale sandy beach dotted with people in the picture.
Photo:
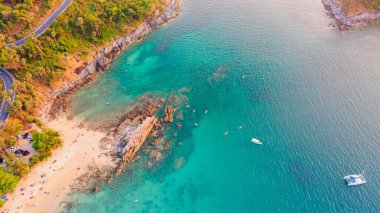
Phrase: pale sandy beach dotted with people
(44, 193)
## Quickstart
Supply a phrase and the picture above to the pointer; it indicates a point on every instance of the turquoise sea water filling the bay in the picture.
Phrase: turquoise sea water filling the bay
(309, 93)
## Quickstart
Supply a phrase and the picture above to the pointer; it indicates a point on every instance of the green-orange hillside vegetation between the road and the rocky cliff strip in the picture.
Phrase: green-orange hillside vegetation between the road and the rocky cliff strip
(85, 25)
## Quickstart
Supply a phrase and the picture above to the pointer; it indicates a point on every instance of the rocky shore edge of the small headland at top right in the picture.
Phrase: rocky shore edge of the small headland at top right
(344, 21)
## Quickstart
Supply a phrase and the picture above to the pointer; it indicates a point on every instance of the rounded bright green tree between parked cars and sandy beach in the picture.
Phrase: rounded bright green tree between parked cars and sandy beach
(46, 141)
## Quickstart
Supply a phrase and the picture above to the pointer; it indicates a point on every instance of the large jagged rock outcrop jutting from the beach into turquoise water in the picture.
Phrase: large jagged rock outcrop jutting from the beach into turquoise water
(143, 124)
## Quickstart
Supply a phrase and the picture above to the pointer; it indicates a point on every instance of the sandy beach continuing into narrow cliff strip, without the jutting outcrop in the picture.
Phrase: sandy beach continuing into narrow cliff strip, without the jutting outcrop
(48, 184)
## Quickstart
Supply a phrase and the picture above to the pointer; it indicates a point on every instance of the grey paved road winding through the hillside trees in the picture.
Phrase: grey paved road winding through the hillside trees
(7, 77)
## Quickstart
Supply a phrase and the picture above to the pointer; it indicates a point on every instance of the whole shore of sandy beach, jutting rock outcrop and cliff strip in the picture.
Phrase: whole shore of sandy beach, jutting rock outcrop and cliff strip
(90, 158)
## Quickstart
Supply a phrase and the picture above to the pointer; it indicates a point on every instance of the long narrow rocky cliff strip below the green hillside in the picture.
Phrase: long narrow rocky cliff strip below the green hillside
(109, 53)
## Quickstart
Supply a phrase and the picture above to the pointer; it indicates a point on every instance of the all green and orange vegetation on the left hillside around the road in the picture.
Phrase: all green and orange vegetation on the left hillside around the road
(40, 62)
